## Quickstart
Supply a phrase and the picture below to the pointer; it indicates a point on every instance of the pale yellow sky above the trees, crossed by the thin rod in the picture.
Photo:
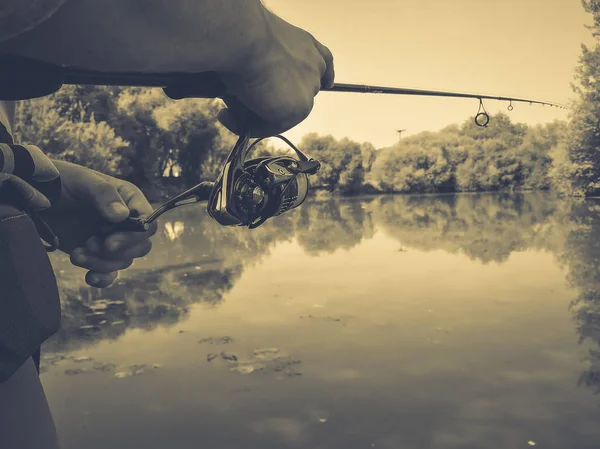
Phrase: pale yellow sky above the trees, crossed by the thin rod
(520, 48)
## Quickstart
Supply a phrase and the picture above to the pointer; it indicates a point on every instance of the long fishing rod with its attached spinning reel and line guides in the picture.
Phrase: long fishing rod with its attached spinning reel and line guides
(247, 191)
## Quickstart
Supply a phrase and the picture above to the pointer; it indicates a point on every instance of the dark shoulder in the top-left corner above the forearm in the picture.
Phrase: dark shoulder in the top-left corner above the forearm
(20, 16)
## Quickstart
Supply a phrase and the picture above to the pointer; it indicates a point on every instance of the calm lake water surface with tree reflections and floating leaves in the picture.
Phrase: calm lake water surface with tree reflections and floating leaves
(446, 322)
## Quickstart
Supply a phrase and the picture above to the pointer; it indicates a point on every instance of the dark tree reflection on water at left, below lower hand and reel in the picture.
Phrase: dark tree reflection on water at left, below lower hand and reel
(194, 260)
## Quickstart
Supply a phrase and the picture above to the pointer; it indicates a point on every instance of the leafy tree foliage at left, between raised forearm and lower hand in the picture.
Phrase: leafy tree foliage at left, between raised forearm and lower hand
(135, 133)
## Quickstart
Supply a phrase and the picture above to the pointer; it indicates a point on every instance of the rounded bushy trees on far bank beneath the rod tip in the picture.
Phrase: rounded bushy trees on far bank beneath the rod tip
(466, 158)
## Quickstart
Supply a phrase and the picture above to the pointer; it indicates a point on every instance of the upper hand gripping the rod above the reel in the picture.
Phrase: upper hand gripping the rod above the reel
(279, 82)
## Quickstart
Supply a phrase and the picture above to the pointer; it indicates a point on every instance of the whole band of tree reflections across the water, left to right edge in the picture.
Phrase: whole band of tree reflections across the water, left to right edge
(196, 261)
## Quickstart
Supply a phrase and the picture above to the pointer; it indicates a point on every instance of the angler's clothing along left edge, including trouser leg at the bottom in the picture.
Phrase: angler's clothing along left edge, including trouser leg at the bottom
(29, 299)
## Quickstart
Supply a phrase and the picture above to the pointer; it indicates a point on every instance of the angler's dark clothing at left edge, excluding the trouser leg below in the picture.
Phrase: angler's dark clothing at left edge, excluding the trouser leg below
(29, 301)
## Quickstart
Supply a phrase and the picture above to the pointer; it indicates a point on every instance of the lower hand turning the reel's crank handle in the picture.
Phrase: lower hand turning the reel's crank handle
(89, 202)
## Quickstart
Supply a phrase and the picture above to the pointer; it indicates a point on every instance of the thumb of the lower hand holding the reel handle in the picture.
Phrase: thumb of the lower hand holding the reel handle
(104, 198)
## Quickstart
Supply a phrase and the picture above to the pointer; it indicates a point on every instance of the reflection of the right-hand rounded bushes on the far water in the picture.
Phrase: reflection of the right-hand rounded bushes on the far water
(486, 228)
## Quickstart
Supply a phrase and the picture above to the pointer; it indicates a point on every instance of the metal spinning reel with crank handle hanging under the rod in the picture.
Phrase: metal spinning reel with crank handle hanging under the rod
(247, 192)
